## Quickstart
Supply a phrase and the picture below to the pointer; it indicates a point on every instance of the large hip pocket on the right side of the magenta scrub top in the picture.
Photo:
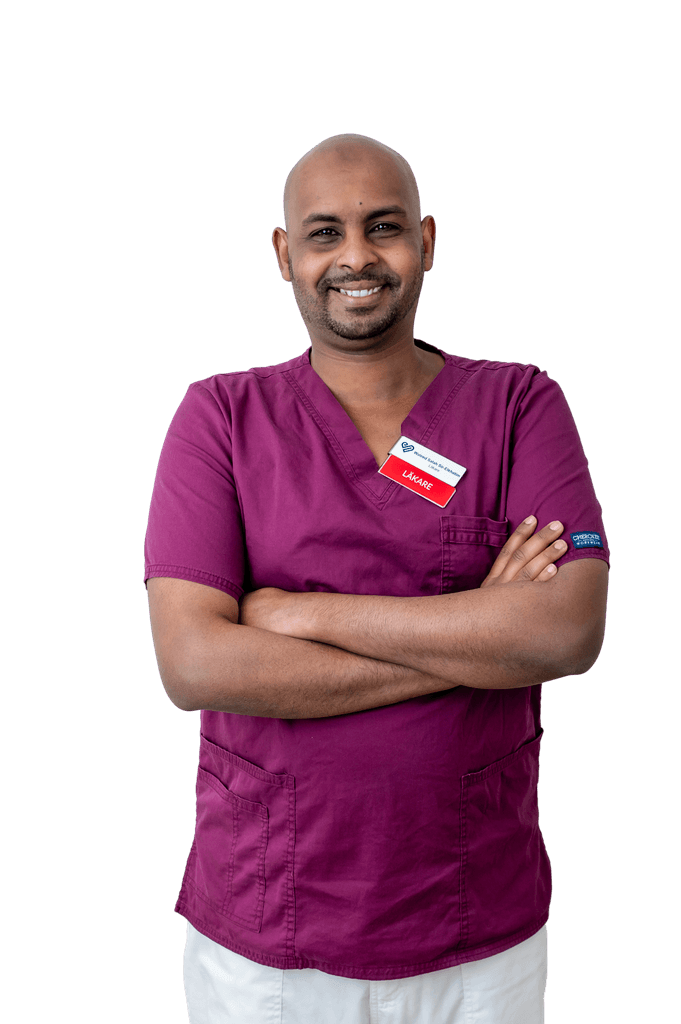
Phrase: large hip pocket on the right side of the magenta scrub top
(505, 870)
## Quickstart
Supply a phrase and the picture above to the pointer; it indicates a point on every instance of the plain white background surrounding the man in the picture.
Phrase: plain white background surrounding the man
(145, 151)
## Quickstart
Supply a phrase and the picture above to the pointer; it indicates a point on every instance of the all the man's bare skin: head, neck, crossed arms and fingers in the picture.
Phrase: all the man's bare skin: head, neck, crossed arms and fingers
(315, 656)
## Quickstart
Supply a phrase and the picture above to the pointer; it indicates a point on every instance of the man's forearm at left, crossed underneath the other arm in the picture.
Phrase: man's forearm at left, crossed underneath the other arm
(249, 671)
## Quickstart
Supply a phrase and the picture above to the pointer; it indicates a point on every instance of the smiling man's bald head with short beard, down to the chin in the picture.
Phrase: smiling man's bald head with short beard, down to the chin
(356, 249)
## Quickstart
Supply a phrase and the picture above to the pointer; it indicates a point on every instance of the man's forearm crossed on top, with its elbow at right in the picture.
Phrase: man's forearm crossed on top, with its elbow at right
(517, 635)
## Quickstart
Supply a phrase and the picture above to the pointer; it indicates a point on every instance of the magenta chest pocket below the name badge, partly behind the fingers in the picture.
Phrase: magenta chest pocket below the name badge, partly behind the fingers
(471, 545)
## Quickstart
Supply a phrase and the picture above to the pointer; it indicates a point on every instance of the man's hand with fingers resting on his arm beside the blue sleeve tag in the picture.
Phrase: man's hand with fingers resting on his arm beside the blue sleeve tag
(528, 557)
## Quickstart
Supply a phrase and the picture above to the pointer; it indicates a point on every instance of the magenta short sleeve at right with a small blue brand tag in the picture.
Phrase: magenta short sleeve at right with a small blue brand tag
(549, 476)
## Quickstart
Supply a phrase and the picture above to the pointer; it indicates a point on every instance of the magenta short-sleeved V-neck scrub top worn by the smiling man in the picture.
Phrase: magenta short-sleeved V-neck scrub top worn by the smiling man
(405, 839)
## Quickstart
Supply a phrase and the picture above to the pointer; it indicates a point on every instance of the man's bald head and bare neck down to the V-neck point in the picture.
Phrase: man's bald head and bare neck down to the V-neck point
(363, 349)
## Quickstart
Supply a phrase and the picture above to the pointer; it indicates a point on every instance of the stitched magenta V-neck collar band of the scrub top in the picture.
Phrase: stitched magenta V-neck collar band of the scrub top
(350, 446)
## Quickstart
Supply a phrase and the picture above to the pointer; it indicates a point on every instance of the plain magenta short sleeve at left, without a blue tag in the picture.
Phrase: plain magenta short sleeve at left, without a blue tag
(195, 530)
